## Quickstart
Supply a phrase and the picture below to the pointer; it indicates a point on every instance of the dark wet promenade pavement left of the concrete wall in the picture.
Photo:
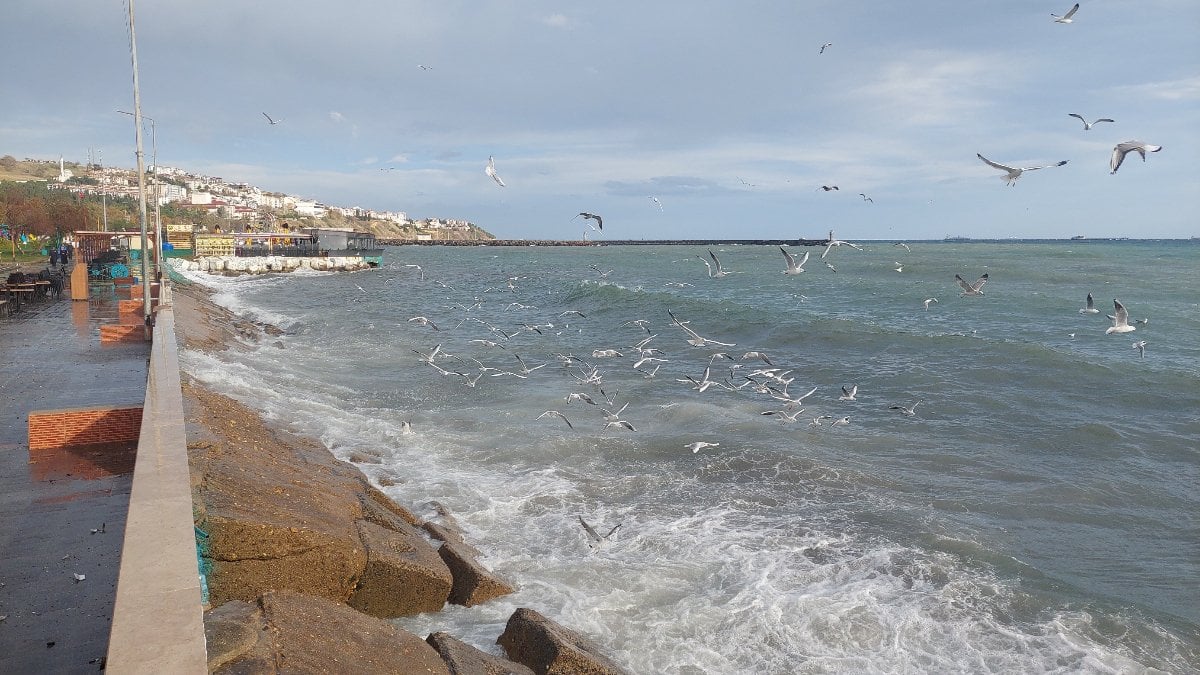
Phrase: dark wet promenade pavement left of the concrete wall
(63, 512)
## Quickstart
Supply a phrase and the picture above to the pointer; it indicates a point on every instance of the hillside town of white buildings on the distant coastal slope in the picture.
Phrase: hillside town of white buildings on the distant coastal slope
(244, 207)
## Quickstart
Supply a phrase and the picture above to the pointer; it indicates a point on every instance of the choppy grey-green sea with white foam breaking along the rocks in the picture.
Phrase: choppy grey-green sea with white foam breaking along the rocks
(1039, 512)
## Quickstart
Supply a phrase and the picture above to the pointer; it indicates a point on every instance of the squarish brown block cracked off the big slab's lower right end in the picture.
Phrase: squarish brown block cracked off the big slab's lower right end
(404, 575)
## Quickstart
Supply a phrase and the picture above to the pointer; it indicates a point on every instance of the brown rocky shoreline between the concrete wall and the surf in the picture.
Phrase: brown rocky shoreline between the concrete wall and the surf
(307, 560)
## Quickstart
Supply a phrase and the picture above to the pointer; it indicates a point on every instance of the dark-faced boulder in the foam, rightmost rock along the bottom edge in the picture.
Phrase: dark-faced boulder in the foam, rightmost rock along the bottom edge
(548, 648)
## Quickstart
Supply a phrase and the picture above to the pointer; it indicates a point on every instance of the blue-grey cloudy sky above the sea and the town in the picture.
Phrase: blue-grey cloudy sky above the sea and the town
(727, 114)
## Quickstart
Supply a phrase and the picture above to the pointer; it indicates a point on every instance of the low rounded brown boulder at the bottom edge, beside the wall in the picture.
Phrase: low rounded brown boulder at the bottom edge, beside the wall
(289, 632)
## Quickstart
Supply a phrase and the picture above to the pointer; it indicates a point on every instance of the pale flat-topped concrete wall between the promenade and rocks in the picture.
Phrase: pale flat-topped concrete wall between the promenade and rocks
(159, 620)
